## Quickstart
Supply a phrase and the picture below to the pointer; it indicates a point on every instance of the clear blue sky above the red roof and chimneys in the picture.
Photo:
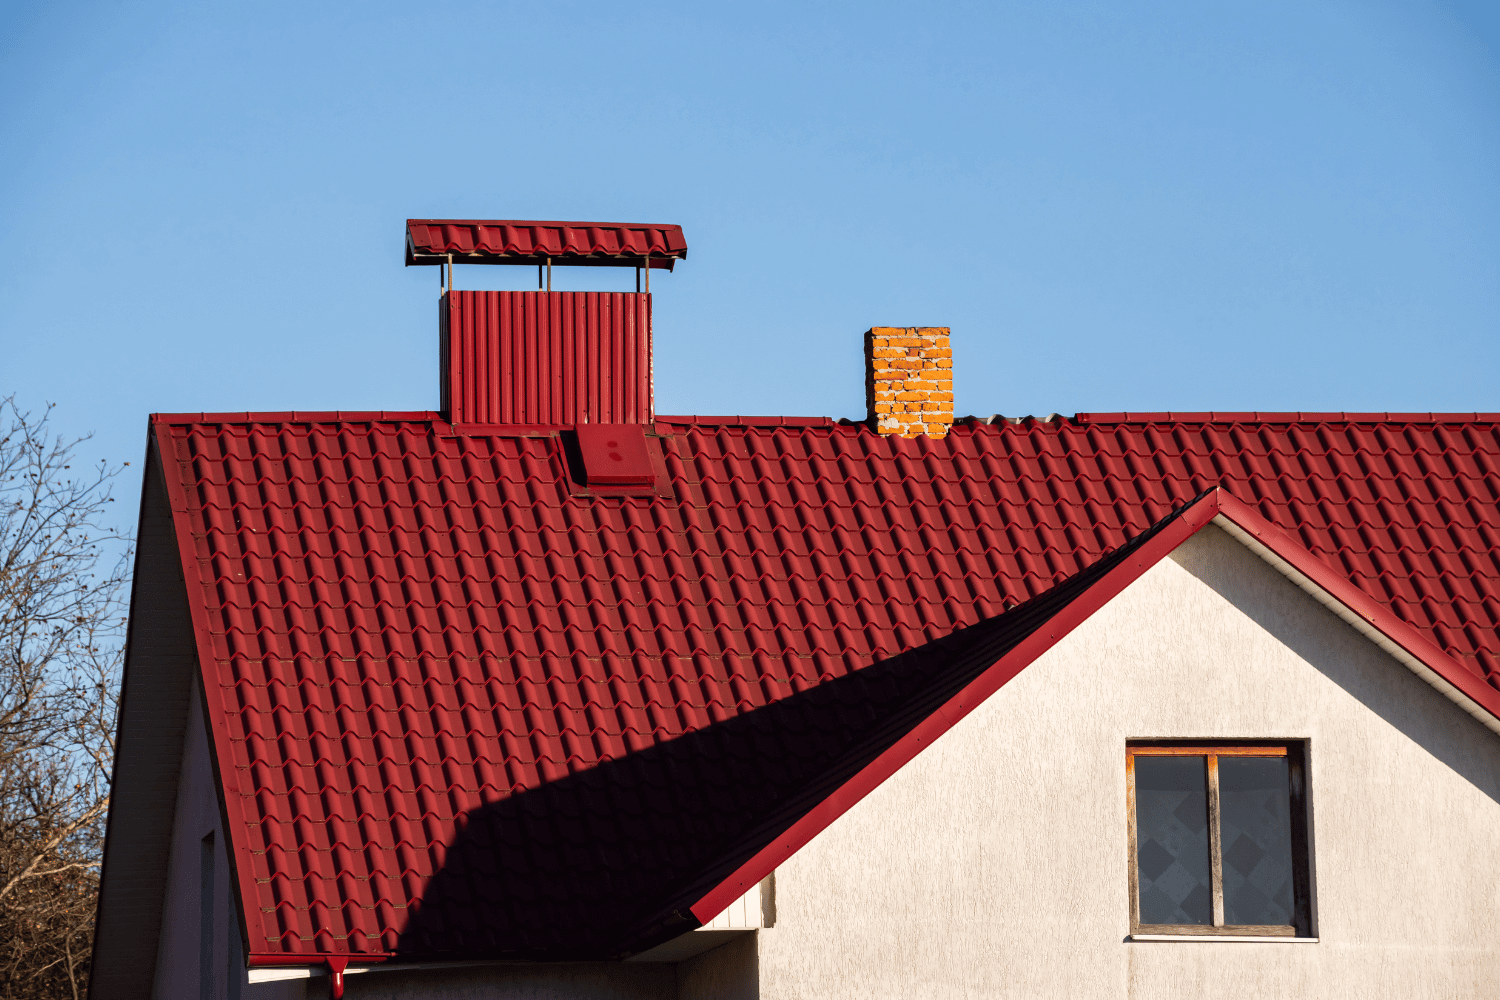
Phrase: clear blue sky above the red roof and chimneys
(1115, 206)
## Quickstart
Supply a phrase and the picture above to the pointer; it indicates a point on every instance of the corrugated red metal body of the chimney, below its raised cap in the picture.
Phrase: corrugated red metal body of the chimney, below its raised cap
(544, 358)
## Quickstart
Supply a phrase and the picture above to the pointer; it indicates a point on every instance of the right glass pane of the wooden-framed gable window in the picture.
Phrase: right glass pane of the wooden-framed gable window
(1256, 812)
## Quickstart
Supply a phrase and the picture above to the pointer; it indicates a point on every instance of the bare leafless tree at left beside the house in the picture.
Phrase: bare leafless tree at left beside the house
(62, 633)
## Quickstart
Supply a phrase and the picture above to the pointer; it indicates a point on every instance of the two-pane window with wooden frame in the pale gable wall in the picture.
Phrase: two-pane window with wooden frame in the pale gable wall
(1219, 839)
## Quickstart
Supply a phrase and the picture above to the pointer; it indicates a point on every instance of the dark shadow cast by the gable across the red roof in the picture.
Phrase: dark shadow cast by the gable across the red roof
(607, 863)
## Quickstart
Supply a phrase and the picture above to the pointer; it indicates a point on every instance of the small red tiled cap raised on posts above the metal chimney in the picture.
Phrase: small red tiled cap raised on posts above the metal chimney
(520, 242)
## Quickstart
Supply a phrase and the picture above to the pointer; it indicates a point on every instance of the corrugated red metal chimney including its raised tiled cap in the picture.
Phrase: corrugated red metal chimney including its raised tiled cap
(545, 358)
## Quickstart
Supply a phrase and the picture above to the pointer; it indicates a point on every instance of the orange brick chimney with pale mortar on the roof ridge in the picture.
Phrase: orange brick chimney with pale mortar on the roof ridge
(908, 380)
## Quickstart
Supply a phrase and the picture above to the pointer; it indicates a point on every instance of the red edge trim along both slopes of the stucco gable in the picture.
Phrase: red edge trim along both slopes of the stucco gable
(1216, 506)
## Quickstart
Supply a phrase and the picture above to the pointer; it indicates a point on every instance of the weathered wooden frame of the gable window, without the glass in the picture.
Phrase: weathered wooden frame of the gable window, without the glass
(1295, 752)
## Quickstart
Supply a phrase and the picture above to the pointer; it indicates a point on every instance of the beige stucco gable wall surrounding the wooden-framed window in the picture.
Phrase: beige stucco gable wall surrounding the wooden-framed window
(995, 864)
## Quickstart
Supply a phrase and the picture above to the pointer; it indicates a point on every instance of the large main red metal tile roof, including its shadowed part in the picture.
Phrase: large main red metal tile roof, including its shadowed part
(463, 710)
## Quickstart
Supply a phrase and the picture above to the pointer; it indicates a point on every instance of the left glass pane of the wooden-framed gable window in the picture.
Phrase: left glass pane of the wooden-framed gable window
(1172, 840)
